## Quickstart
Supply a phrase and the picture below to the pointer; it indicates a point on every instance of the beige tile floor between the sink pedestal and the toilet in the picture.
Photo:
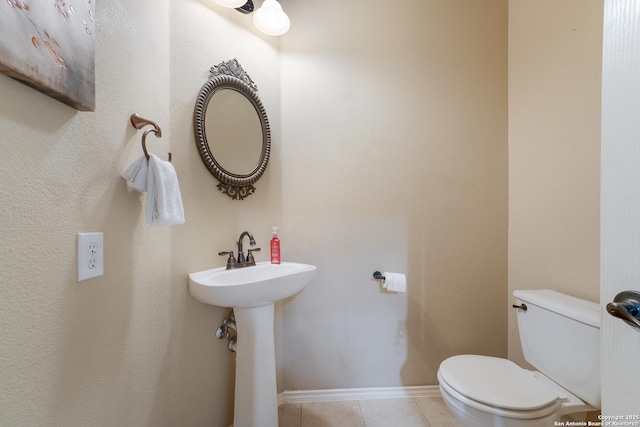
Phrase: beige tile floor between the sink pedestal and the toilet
(401, 412)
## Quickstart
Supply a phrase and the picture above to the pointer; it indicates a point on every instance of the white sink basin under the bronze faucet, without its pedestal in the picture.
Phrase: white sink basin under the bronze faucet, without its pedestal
(255, 286)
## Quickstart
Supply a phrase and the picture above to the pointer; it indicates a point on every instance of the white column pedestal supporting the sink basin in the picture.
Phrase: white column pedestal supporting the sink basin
(256, 395)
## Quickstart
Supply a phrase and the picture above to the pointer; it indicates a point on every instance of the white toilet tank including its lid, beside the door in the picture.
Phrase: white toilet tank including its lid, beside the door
(560, 337)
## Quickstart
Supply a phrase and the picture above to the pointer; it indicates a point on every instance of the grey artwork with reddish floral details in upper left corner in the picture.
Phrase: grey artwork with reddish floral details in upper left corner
(49, 45)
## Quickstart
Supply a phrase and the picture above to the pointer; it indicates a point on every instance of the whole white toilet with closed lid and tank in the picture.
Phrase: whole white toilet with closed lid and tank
(560, 337)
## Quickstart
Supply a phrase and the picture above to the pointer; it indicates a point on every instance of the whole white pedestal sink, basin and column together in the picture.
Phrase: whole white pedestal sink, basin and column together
(252, 293)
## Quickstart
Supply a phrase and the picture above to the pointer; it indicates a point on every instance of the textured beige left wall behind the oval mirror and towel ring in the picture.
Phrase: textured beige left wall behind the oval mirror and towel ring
(130, 348)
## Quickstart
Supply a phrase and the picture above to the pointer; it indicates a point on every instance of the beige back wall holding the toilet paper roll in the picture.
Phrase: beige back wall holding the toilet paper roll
(395, 155)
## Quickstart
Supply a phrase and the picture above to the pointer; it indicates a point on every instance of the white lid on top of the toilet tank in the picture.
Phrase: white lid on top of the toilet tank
(566, 305)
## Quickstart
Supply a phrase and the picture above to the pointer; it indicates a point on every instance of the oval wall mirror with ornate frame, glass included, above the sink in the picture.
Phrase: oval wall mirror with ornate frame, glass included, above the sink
(232, 130)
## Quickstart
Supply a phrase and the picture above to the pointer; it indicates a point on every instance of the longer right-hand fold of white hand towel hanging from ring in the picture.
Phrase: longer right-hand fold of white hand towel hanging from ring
(164, 201)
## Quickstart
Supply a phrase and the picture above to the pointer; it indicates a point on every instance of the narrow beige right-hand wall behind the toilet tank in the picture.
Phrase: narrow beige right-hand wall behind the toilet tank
(555, 62)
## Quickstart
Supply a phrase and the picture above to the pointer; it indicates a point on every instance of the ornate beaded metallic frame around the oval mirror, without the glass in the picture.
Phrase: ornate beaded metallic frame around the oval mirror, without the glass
(230, 75)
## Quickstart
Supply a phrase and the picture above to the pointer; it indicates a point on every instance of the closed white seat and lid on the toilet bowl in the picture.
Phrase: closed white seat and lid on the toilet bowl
(497, 386)
